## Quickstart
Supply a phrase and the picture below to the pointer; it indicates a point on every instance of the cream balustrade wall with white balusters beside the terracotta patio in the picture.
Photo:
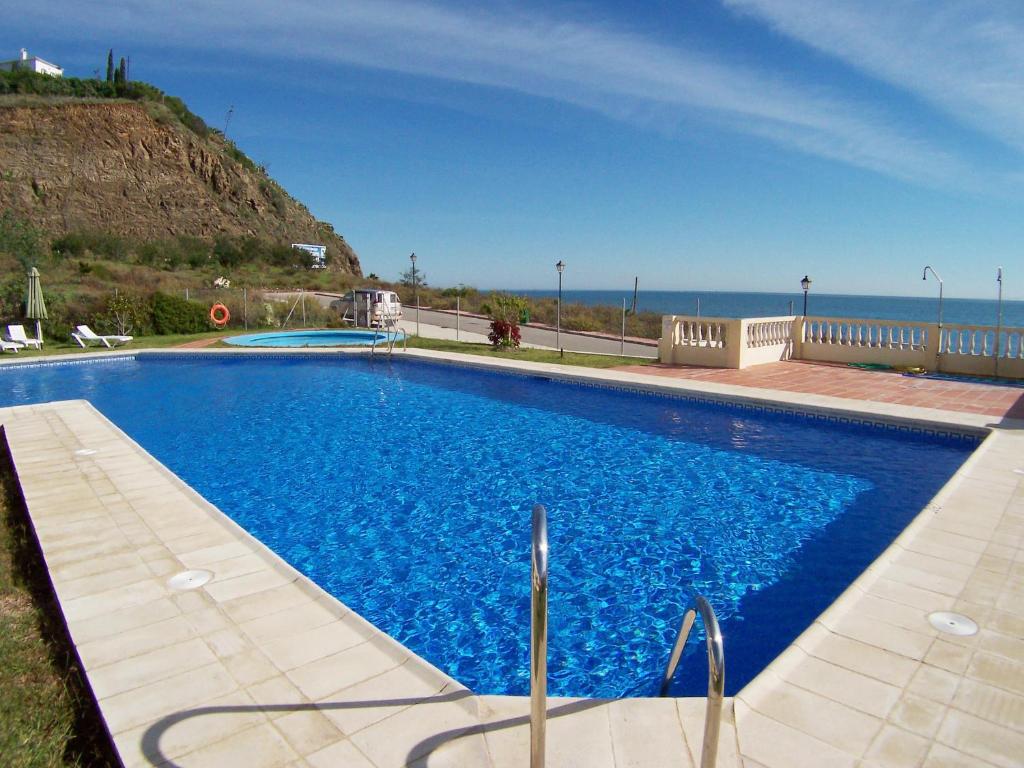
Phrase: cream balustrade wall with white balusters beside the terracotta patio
(724, 343)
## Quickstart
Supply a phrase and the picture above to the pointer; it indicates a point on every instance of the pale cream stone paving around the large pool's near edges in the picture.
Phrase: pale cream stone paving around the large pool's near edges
(262, 668)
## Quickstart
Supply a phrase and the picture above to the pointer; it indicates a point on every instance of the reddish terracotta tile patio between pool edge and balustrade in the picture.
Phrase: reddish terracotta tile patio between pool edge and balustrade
(855, 383)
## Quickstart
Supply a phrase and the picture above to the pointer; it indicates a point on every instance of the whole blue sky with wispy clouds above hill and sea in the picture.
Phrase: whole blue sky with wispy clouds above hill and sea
(736, 145)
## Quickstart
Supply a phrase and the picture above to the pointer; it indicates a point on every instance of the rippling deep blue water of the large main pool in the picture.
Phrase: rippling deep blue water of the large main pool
(405, 489)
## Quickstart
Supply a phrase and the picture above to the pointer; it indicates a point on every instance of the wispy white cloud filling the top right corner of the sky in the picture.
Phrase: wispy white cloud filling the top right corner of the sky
(965, 58)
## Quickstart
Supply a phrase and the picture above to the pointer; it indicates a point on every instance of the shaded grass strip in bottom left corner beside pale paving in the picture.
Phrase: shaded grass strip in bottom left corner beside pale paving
(48, 717)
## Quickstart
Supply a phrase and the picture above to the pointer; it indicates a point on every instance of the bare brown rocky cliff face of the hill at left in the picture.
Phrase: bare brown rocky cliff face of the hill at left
(134, 169)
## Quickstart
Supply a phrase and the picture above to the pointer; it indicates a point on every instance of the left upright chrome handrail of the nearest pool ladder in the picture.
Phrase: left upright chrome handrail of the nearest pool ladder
(539, 638)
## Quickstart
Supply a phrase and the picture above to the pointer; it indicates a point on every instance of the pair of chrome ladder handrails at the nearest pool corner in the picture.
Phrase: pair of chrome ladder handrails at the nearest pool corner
(539, 655)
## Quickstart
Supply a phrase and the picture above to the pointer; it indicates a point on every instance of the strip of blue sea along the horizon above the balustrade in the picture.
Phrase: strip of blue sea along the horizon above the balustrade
(737, 305)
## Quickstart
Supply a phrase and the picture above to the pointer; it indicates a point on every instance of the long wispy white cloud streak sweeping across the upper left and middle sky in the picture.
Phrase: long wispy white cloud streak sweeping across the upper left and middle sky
(583, 62)
